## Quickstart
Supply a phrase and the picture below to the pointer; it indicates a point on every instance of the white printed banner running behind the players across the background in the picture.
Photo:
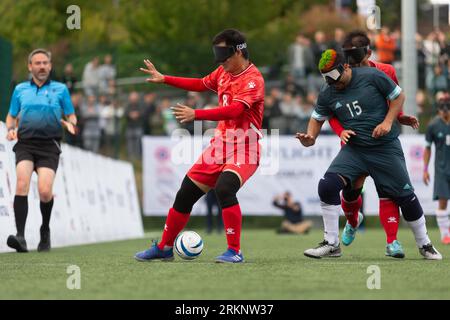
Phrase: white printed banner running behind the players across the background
(285, 166)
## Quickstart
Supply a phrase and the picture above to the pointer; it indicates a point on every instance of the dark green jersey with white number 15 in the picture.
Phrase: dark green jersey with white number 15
(361, 106)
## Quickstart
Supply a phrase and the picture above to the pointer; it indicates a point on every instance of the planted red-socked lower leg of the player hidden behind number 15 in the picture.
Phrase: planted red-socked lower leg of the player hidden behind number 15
(390, 219)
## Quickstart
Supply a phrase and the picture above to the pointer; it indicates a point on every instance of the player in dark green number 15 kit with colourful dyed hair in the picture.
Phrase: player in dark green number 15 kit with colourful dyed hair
(358, 98)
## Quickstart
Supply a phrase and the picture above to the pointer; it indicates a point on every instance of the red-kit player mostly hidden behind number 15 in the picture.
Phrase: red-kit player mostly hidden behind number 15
(356, 48)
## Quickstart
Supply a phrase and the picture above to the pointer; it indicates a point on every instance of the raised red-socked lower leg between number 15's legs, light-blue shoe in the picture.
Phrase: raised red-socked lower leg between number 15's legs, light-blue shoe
(351, 203)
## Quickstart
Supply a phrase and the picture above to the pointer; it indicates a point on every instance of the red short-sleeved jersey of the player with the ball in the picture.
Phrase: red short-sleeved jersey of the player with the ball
(246, 87)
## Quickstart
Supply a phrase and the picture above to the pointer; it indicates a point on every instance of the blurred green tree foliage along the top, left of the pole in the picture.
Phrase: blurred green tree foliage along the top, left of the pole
(175, 34)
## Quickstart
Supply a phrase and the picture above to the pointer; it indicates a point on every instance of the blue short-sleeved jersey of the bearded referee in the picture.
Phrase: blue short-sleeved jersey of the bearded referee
(40, 110)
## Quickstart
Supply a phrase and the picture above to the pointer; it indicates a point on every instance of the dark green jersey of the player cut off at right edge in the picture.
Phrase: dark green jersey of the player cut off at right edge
(438, 132)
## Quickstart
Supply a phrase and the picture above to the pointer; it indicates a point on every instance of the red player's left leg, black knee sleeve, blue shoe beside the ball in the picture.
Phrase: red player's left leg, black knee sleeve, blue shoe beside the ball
(176, 220)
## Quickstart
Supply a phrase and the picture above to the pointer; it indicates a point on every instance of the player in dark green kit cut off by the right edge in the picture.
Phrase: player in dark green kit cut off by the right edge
(438, 132)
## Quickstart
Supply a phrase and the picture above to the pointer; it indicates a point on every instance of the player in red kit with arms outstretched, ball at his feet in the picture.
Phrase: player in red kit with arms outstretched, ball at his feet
(233, 155)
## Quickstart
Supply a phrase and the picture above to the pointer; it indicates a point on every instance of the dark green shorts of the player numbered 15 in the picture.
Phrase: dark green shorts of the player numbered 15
(385, 164)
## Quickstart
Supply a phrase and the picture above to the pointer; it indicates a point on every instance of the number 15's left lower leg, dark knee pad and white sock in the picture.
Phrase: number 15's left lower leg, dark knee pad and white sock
(329, 187)
